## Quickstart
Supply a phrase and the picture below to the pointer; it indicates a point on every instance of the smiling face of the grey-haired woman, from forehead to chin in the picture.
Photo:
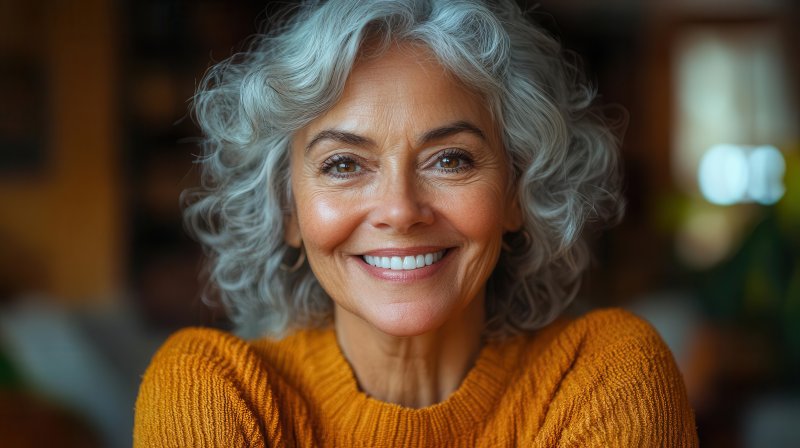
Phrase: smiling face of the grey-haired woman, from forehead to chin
(401, 195)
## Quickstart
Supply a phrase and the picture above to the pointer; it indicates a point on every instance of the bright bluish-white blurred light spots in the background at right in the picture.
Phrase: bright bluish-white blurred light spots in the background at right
(731, 174)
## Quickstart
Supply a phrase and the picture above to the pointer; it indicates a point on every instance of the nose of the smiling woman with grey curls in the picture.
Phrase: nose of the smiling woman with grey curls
(401, 204)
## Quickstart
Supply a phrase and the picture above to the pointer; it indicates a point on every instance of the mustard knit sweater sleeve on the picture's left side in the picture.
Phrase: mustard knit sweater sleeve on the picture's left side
(194, 394)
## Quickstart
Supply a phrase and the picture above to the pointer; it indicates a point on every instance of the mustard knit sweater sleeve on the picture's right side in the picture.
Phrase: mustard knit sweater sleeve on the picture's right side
(624, 389)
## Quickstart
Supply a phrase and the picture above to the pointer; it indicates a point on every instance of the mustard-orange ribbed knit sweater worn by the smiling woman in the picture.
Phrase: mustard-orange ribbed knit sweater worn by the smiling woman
(606, 379)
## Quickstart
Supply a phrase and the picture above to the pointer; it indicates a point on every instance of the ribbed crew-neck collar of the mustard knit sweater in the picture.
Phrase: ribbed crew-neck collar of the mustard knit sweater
(334, 388)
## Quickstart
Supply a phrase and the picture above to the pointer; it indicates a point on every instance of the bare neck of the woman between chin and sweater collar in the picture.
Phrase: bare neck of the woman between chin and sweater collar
(412, 371)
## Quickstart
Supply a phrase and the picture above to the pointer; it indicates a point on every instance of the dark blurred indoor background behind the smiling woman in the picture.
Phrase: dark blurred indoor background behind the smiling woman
(95, 148)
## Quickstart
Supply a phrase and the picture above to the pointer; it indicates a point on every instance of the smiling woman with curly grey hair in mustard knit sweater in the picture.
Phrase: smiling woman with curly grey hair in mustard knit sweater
(392, 200)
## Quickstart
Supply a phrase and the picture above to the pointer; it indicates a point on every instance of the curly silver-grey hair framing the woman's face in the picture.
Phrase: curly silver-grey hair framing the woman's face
(563, 156)
